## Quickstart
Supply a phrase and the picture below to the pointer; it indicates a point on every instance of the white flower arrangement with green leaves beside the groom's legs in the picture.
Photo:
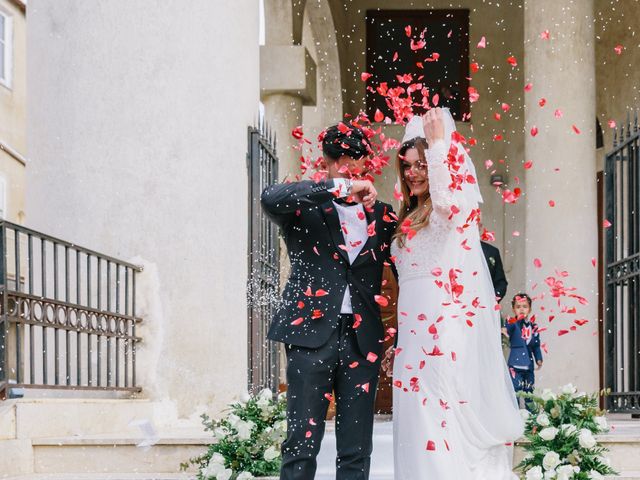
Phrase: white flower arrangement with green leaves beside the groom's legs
(246, 442)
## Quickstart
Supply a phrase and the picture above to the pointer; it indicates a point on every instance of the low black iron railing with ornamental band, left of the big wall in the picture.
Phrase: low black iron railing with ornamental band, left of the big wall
(67, 315)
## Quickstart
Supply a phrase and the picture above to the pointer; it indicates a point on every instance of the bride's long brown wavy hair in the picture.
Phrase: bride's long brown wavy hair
(410, 207)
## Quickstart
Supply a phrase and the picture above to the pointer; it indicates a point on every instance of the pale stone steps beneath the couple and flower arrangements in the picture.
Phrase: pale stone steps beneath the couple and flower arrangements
(127, 440)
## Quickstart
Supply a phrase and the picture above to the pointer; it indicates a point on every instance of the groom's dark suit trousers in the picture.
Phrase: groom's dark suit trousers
(313, 375)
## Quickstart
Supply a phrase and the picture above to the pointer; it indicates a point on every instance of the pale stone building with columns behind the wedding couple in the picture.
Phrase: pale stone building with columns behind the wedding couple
(141, 145)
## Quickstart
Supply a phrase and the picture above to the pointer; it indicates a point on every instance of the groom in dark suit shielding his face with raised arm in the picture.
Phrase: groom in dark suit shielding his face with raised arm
(338, 238)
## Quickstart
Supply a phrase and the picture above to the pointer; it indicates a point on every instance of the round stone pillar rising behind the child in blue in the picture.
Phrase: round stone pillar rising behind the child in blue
(563, 237)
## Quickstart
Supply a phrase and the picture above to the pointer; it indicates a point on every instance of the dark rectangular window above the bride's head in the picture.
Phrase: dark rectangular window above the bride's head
(446, 33)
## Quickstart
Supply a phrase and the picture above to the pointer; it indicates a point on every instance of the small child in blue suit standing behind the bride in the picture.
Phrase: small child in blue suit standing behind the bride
(524, 340)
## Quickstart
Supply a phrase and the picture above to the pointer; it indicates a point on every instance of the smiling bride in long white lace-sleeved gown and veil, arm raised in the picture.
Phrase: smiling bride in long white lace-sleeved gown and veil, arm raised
(455, 413)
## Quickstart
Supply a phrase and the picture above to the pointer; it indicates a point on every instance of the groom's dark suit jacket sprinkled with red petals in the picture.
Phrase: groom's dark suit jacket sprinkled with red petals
(320, 269)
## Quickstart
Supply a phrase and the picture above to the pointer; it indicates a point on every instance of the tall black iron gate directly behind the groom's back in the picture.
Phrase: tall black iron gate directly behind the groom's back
(264, 262)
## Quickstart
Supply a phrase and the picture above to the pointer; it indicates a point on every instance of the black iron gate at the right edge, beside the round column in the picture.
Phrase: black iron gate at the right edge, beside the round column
(622, 270)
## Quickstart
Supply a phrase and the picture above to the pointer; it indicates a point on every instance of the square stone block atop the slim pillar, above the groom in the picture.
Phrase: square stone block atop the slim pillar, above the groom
(288, 69)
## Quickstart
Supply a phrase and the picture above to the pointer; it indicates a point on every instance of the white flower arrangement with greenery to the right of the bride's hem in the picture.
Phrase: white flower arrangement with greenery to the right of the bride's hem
(561, 433)
